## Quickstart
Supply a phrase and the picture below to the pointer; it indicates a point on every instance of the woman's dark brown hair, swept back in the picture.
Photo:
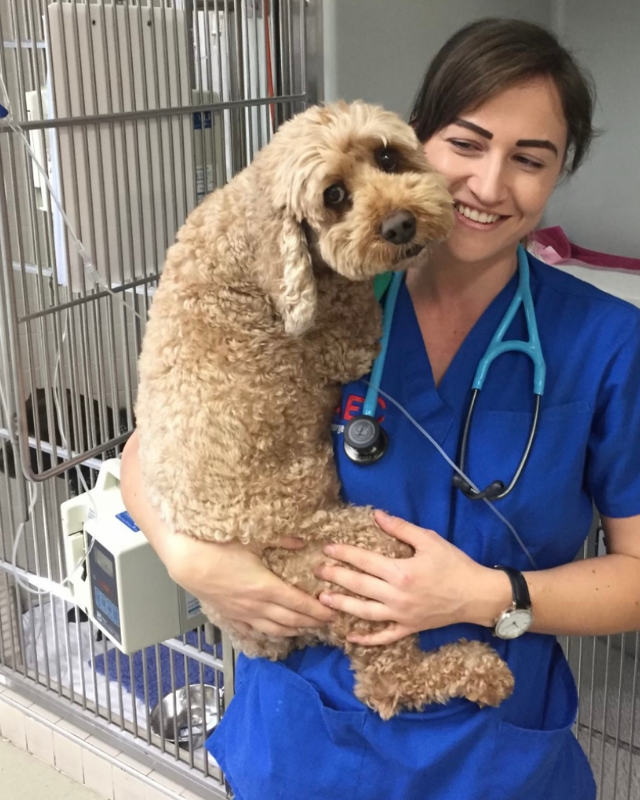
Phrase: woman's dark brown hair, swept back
(491, 55)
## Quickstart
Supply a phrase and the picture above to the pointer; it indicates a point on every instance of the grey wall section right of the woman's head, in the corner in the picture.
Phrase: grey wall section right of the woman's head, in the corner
(599, 207)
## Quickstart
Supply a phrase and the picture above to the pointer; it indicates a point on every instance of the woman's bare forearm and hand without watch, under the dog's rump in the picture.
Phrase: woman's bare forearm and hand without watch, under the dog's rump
(228, 576)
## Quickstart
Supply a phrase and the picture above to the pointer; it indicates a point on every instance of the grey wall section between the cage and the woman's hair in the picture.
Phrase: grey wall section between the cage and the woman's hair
(378, 50)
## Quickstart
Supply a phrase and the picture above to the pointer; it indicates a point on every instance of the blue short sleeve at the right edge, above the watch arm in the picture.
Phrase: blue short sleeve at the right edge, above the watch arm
(613, 457)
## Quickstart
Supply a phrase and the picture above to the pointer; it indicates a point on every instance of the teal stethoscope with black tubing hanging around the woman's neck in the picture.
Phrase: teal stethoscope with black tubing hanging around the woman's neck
(365, 441)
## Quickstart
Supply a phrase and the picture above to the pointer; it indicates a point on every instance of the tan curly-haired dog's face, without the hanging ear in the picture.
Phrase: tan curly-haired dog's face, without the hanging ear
(356, 177)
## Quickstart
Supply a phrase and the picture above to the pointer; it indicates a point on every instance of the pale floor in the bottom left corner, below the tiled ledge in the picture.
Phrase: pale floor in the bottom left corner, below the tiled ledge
(25, 777)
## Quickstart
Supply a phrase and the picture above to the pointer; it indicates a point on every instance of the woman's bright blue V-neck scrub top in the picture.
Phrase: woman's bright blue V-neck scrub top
(295, 730)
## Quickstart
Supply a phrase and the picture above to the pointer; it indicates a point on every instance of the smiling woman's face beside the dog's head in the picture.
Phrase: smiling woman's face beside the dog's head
(502, 161)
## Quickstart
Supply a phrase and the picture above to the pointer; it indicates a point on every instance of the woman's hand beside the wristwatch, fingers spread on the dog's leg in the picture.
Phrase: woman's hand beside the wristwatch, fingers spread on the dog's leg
(439, 585)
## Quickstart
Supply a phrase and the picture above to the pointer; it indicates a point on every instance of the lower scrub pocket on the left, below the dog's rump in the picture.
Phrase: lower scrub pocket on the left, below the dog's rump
(279, 741)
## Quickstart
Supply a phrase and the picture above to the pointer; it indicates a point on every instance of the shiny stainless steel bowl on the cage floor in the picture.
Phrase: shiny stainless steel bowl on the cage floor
(177, 724)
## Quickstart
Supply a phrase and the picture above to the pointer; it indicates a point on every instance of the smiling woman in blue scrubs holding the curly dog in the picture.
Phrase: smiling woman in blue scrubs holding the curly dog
(504, 113)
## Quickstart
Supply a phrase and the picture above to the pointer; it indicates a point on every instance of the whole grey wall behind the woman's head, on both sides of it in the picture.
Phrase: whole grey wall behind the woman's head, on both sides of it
(378, 50)
